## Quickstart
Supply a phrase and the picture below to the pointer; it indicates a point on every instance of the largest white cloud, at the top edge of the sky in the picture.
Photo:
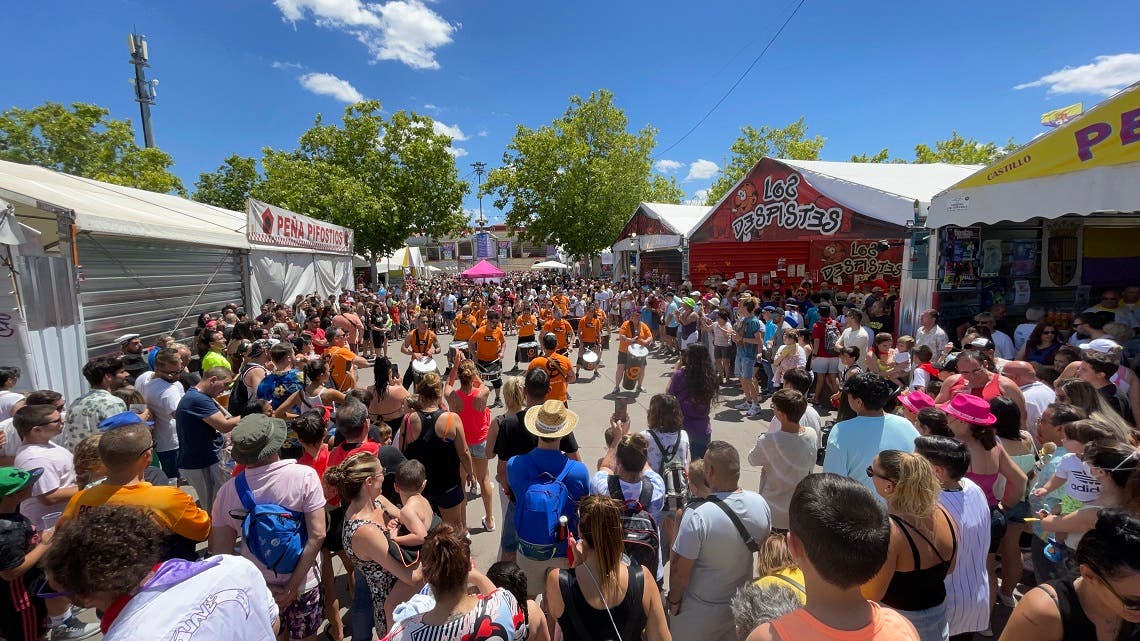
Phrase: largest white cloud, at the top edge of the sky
(406, 31)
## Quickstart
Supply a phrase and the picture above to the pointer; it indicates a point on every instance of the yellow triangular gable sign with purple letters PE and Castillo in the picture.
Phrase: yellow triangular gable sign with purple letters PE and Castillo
(1108, 135)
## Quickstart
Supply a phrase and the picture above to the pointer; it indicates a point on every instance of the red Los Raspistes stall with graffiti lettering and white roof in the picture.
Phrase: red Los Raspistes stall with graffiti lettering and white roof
(791, 221)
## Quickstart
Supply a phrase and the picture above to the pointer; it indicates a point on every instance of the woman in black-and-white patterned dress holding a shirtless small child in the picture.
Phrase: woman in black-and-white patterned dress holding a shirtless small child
(360, 480)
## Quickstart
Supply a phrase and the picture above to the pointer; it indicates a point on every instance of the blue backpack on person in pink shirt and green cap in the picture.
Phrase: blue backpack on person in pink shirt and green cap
(275, 535)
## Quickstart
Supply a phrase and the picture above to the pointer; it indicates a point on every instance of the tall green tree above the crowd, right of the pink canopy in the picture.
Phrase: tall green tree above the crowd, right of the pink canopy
(575, 182)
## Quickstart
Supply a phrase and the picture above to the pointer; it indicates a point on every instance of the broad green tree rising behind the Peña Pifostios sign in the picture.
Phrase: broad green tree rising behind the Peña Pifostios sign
(384, 180)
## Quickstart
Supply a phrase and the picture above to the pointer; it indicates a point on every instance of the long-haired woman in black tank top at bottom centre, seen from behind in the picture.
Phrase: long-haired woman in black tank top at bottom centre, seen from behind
(600, 598)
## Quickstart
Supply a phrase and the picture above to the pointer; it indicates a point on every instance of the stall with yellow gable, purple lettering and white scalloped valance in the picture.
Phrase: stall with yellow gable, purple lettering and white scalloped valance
(1046, 225)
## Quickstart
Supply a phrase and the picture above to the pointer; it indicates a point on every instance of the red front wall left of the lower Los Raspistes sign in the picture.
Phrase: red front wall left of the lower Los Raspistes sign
(761, 257)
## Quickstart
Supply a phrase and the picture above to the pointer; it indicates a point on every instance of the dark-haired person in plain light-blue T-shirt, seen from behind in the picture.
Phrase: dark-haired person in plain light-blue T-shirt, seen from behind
(854, 444)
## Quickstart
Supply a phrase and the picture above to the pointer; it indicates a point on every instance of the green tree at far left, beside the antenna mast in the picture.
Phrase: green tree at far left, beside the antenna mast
(83, 141)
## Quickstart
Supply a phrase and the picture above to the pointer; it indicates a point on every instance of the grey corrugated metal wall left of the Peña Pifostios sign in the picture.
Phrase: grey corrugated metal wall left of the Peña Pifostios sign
(149, 287)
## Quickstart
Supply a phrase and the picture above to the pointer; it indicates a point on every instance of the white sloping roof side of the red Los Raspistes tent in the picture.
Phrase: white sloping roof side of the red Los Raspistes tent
(883, 191)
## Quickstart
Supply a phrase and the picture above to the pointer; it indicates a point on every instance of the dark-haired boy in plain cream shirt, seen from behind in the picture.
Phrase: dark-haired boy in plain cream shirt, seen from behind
(787, 456)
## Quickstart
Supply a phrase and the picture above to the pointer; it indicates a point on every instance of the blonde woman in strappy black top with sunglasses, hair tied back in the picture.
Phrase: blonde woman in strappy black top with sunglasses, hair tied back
(924, 543)
